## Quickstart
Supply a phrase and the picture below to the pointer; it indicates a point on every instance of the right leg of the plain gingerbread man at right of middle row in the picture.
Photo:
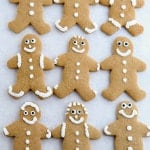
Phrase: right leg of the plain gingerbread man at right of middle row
(136, 93)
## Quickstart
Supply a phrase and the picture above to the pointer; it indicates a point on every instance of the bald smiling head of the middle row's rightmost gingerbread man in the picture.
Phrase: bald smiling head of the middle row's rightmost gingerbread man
(123, 47)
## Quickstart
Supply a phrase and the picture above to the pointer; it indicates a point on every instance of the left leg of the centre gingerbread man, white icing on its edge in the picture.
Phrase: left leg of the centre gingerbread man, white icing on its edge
(63, 89)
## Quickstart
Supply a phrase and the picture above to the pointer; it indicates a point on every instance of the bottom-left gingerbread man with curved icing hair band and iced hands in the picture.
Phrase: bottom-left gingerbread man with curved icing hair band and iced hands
(26, 131)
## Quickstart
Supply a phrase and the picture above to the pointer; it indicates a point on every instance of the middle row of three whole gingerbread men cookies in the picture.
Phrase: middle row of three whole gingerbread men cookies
(76, 64)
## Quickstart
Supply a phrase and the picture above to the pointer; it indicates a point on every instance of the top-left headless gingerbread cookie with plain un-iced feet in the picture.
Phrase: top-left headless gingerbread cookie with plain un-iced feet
(30, 12)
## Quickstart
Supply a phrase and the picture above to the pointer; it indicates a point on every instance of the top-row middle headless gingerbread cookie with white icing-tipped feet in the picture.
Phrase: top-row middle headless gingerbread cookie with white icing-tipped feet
(76, 12)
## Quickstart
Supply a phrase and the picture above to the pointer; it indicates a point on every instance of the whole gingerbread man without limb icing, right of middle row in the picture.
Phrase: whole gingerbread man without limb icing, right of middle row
(123, 67)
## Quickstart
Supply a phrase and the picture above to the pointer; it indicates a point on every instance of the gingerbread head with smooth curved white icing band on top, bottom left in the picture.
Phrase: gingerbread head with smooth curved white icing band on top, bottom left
(30, 113)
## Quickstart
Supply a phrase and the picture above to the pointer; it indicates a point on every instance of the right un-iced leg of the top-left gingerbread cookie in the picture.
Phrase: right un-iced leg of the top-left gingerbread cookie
(40, 26)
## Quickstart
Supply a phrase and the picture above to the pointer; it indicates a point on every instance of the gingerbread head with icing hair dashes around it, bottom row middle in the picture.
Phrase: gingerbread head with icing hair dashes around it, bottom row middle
(76, 113)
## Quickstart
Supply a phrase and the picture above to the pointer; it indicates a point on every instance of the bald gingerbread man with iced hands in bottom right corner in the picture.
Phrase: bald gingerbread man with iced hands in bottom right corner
(128, 131)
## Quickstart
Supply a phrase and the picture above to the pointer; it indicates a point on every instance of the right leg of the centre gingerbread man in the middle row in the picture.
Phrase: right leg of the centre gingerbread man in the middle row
(86, 92)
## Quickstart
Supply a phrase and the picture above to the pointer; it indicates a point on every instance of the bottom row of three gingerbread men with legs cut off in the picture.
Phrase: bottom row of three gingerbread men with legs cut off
(75, 131)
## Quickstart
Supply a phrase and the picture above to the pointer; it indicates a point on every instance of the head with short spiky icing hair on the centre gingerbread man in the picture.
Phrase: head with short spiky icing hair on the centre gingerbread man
(78, 45)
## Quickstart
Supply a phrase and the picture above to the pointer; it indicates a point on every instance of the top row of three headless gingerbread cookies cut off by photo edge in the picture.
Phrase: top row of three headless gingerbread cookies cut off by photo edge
(122, 13)
